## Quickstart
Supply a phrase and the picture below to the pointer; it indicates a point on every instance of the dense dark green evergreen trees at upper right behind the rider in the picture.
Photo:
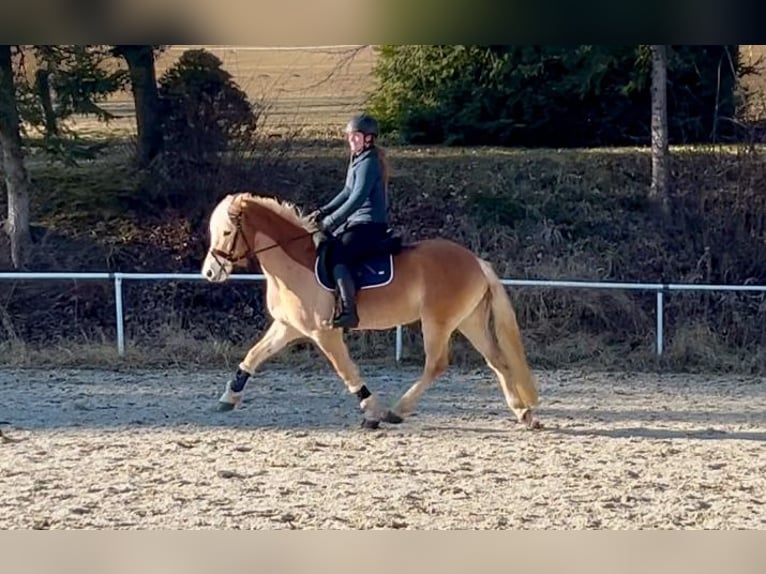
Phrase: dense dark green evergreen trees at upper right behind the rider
(551, 95)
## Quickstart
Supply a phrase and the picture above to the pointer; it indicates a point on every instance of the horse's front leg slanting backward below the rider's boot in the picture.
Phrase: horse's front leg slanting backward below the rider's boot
(331, 343)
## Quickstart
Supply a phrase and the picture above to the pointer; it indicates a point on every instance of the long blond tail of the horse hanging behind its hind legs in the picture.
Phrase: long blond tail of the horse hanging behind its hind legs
(509, 337)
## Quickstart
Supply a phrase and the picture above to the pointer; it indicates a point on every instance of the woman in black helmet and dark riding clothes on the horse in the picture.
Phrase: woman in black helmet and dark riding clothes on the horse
(357, 217)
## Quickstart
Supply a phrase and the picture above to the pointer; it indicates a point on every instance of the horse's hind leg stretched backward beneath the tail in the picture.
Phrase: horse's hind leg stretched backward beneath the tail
(475, 328)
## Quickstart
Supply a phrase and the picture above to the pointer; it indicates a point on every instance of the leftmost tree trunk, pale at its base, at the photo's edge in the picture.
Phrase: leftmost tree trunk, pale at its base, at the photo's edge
(16, 177)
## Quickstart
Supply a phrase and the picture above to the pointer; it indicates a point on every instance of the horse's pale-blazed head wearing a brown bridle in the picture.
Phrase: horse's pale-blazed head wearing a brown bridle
(228, 244)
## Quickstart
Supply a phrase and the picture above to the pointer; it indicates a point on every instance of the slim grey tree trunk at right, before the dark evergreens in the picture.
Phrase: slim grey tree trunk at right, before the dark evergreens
(660, 189)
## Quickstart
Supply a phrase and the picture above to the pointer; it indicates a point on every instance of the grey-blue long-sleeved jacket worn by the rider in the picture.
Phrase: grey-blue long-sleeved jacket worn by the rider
(362, 199)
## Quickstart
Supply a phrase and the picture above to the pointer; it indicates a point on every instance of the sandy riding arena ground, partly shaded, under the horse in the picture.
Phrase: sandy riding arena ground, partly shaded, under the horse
(141, 450)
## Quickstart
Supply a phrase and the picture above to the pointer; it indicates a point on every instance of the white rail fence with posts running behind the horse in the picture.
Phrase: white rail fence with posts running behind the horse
(117, 278)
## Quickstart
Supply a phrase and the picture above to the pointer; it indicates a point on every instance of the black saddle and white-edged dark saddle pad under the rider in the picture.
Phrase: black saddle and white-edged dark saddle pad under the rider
(374, 270)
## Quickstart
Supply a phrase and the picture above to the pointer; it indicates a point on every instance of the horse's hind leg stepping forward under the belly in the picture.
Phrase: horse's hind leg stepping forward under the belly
(436, 345)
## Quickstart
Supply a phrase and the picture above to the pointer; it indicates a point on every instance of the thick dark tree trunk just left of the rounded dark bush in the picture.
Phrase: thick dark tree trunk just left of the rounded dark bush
(143, 80)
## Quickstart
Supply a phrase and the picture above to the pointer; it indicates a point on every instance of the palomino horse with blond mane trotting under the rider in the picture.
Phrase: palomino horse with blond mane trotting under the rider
(436, 281)
